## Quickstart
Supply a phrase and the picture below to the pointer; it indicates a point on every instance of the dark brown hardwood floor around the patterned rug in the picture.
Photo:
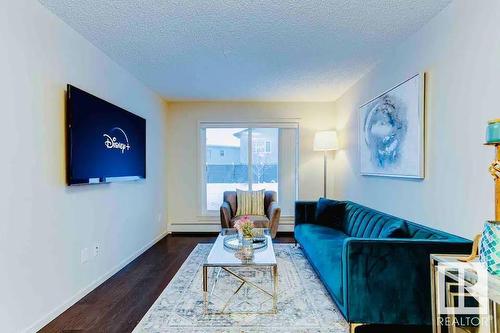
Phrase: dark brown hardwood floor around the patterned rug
(119, 303)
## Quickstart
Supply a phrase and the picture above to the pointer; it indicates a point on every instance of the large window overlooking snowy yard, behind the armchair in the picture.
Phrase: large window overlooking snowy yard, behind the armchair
(252, 157)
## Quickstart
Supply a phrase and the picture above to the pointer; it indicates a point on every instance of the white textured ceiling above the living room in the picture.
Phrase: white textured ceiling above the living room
(246, 50)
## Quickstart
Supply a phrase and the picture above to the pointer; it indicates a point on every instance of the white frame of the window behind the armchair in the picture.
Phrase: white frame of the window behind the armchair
(202, 158)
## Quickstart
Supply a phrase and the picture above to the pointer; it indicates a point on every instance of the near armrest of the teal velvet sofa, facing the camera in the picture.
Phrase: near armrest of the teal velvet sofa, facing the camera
(387, 281)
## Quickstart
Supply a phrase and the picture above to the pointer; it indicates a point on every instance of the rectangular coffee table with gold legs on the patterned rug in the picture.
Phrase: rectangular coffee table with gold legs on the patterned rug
(222, 258)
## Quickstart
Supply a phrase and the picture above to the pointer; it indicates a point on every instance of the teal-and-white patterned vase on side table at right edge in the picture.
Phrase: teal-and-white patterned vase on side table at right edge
(489, 250)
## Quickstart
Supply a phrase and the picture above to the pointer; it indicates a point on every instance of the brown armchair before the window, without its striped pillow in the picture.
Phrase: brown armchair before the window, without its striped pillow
(271, 208)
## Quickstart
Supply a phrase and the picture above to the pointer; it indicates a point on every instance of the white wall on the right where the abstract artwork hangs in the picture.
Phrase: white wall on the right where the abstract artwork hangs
(459, 50)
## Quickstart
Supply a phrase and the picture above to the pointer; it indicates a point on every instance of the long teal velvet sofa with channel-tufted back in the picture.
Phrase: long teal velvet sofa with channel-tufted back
(373, 274)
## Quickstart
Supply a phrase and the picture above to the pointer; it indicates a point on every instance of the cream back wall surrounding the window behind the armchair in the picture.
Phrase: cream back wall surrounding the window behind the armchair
(183, 150)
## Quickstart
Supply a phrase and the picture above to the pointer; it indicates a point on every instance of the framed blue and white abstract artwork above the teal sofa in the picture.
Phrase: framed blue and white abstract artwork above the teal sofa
(391, 131)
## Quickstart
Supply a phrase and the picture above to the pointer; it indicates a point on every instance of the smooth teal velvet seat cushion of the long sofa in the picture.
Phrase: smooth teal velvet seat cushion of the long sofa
(324, 245)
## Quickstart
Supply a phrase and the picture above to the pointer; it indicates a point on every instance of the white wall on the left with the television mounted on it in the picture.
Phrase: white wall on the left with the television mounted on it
(43, 223)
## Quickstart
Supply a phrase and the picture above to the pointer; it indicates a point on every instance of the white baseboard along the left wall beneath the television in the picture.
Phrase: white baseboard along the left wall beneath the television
(80, 294)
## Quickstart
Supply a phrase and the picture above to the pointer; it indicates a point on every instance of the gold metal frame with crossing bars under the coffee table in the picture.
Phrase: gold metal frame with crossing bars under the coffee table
(272, 295)
